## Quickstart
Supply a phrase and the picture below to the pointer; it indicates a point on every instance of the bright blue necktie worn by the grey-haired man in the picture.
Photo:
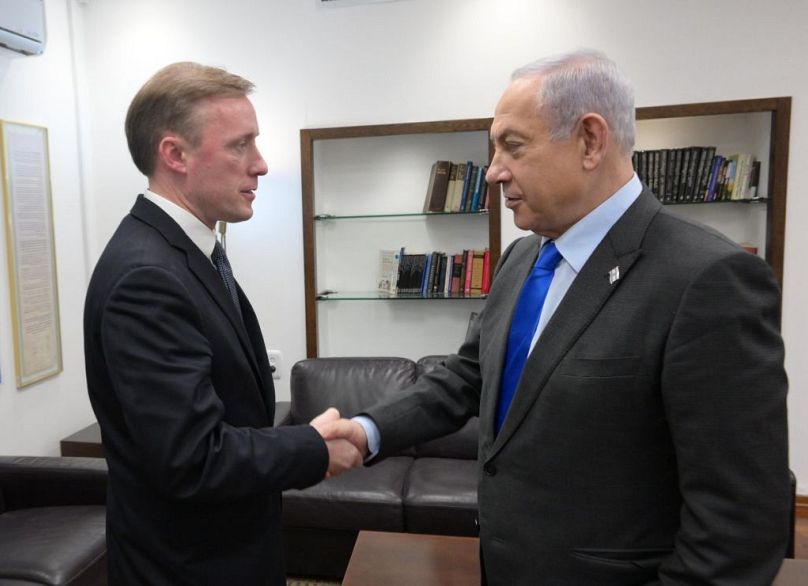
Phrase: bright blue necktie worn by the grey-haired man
(525, 320)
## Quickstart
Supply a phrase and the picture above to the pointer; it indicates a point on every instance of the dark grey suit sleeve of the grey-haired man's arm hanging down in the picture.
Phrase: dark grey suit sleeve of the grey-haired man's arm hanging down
(724, 389)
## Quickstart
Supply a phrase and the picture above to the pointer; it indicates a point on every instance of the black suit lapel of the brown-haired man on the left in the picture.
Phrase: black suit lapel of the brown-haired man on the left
(201, 267)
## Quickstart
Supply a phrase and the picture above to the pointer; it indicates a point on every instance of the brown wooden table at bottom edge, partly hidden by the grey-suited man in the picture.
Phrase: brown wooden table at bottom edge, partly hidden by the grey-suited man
(404, 559)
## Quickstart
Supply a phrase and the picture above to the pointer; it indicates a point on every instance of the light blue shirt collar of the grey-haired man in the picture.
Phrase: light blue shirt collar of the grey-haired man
(578, 243)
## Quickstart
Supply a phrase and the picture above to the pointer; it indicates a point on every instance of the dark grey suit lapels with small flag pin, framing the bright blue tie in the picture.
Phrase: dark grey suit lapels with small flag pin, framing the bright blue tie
(589, 292)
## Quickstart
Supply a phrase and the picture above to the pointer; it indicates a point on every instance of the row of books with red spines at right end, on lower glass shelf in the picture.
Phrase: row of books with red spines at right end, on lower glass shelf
(435, 274)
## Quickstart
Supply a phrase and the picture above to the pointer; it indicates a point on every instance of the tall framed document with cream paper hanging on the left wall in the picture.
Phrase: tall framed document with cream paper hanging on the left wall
(31, 252)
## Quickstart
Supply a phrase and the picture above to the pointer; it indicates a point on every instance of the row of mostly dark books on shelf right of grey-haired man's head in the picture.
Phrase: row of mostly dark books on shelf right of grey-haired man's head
(697, 174)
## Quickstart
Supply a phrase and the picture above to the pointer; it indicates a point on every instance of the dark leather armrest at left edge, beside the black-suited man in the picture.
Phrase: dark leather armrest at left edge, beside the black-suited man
(29, 481)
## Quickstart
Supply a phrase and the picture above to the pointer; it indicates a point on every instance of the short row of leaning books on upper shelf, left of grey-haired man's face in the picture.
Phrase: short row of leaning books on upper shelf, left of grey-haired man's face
(456, 187)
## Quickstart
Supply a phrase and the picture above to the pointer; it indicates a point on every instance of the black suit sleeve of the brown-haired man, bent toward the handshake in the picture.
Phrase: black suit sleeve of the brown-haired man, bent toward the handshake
(159, 359)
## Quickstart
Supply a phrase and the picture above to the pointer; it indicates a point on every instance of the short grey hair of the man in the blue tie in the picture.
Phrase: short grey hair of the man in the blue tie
(580, 82)
